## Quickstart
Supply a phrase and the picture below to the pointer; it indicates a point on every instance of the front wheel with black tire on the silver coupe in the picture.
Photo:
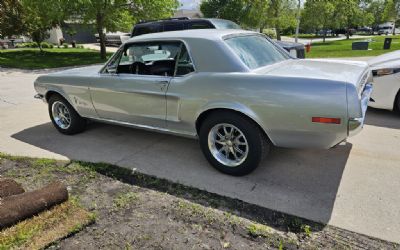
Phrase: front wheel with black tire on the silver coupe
(64, 117)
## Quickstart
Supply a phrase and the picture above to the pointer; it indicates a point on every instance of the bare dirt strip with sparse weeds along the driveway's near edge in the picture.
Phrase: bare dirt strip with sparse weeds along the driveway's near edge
(139, 211)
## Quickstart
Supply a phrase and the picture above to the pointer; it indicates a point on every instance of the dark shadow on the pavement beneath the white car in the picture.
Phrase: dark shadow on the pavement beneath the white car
(382, 118)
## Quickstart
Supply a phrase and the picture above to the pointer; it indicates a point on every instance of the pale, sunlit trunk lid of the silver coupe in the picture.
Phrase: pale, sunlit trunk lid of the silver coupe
(338, 70)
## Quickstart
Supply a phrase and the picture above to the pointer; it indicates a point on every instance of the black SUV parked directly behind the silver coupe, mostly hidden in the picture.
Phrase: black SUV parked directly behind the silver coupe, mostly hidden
(184, 23)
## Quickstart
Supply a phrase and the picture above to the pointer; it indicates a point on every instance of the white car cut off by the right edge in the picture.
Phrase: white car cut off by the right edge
(386, 73)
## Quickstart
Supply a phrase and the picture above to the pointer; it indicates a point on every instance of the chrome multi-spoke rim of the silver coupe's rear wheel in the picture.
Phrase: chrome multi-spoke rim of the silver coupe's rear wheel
(228, 144)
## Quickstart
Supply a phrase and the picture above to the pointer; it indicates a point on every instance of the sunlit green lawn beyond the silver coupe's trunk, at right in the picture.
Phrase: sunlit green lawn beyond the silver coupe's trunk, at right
(342, 48)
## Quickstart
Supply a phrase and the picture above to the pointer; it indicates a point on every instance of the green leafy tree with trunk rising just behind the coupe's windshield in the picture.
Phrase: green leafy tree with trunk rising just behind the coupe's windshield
(113, 15)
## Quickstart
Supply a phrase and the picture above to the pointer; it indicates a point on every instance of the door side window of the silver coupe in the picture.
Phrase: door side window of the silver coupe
(149, 58)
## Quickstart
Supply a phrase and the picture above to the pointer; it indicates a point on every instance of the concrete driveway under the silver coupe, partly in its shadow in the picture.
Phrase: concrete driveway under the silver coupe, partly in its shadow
(355, 187)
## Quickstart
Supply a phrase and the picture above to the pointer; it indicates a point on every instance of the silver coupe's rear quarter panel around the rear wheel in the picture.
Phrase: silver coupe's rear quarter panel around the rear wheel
(283, 107)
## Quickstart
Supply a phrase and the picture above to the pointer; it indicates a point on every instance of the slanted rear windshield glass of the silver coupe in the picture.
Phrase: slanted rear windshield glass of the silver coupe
(255, 50)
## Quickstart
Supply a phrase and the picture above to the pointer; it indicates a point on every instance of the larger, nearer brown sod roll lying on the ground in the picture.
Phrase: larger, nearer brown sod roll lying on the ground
(22, 206)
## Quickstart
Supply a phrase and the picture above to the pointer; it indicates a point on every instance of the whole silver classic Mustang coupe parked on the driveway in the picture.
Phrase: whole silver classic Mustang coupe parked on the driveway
(234, 90)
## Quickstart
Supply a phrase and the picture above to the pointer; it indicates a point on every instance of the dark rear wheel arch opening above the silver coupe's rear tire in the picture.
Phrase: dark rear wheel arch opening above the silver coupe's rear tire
(205, 113)
